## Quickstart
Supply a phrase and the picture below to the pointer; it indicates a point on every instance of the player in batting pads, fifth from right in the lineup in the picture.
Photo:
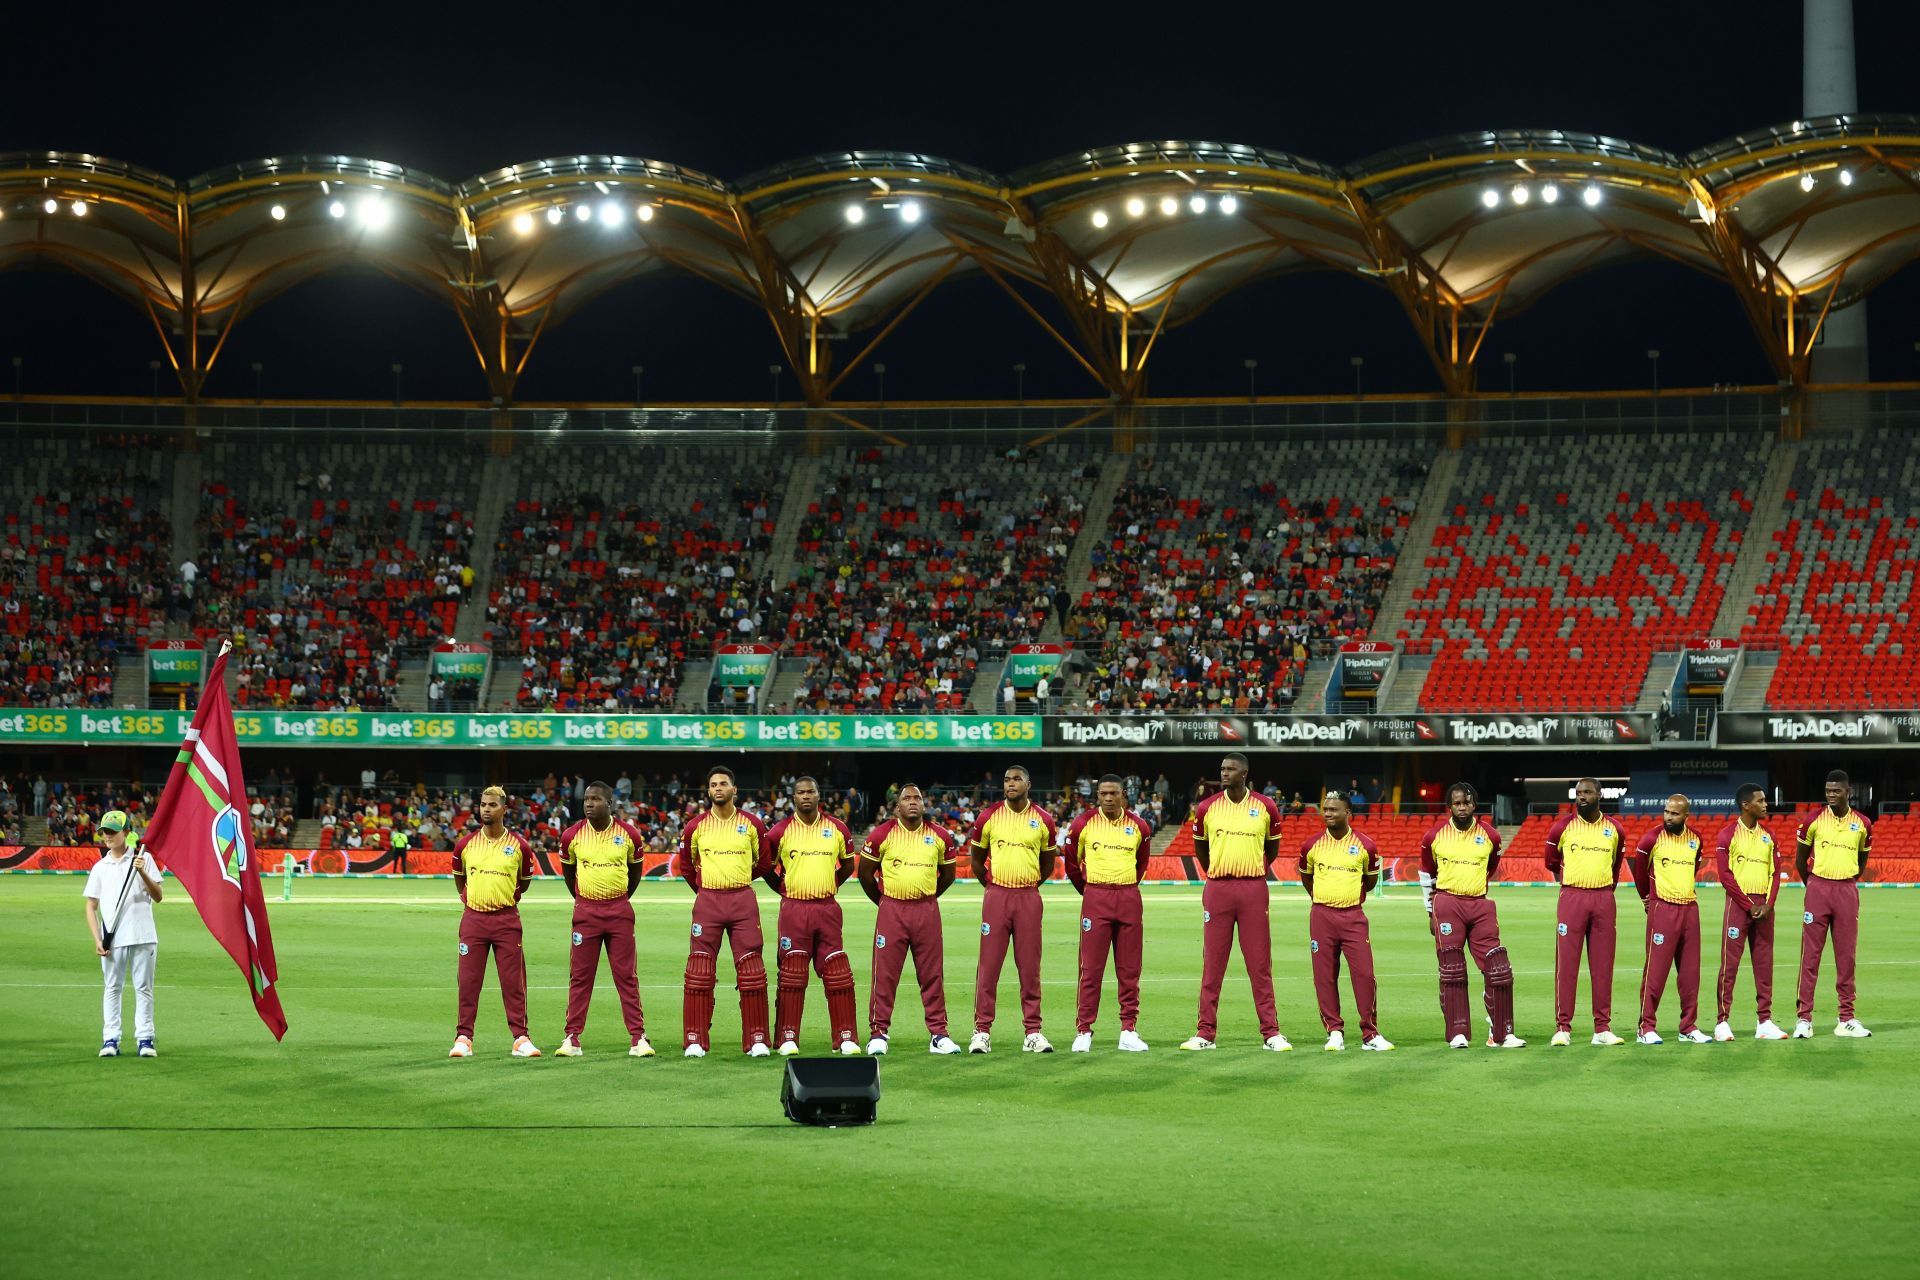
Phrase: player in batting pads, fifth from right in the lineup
(1458, 859)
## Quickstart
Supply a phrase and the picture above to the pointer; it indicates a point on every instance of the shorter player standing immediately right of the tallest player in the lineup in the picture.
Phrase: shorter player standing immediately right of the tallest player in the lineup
(1339, 868)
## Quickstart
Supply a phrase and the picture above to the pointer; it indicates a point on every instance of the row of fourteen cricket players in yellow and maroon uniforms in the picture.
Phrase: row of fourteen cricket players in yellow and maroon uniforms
(907, 863)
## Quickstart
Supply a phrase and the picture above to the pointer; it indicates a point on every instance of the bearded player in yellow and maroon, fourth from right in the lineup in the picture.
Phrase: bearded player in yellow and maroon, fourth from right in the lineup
(1585, 851)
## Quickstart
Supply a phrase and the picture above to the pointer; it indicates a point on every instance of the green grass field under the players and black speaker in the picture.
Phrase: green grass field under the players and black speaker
(360, 1149)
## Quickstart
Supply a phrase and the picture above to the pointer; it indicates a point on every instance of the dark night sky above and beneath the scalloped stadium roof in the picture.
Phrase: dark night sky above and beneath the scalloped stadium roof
(462, 89)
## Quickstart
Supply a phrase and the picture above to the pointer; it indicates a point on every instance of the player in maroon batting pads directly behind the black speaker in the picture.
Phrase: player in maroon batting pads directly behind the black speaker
(807, 859)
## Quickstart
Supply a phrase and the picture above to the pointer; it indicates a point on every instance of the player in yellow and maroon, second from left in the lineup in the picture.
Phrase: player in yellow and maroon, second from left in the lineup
(600, 859)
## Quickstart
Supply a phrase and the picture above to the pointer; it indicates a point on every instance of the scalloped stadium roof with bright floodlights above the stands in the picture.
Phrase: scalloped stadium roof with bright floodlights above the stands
(1124, 243)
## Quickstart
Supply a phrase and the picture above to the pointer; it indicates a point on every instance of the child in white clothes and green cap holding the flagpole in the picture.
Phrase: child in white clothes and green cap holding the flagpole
(126, 941)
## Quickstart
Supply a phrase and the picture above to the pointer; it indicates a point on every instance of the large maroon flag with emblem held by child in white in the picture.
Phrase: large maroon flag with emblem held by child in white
(201, 832)
